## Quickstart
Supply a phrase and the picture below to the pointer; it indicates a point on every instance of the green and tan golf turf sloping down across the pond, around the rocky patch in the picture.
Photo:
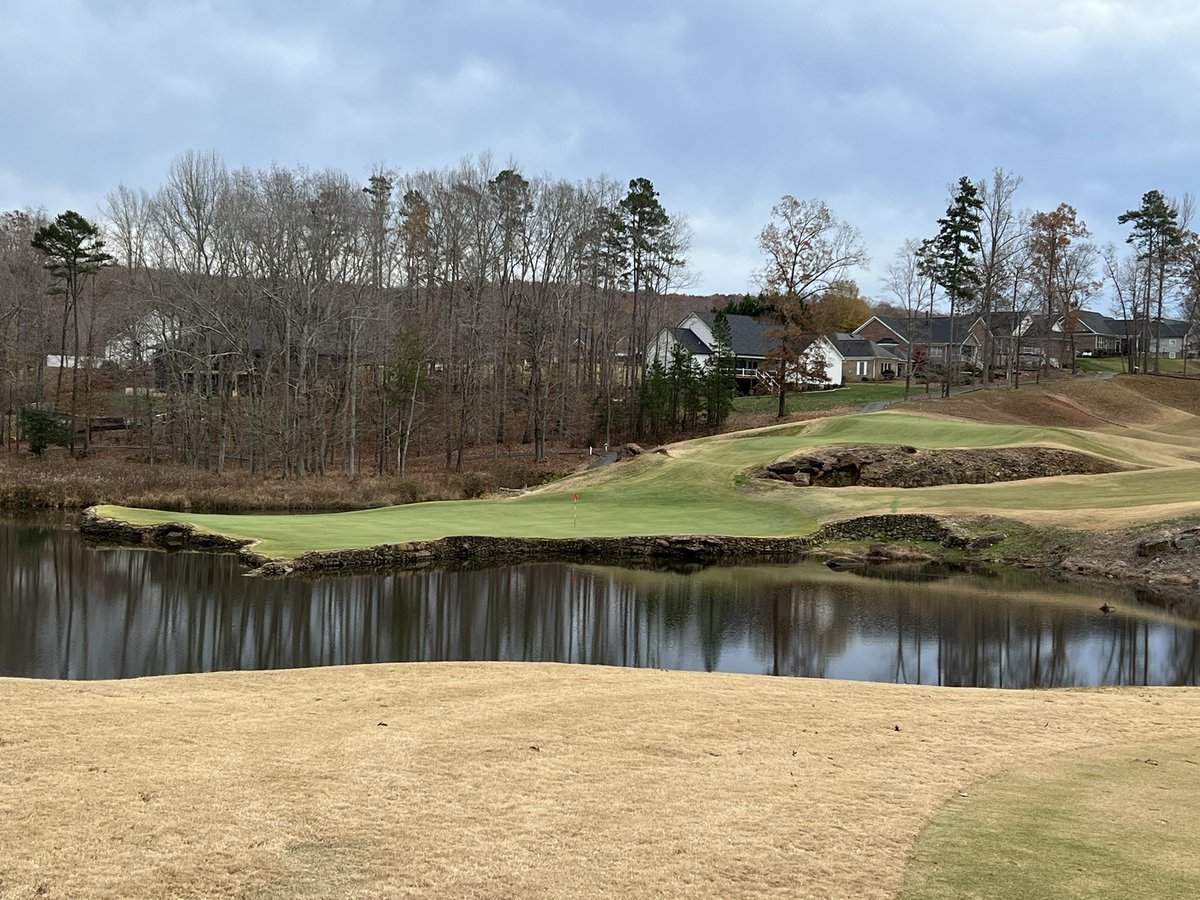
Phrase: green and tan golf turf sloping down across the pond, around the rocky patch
(707, 487)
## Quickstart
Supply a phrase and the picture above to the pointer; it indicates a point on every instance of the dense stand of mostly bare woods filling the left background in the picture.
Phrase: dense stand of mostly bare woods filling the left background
(299, 321)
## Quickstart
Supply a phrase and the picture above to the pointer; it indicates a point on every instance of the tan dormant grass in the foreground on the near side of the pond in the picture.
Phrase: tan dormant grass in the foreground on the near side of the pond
(512, 781)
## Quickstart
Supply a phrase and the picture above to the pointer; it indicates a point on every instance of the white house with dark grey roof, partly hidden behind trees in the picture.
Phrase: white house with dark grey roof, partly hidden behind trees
(752, 343)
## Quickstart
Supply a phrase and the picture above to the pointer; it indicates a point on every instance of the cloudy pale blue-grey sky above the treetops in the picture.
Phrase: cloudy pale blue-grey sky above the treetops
(873, 106)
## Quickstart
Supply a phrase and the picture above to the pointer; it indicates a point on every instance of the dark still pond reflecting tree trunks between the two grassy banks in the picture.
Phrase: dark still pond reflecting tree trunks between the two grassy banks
(76, 613)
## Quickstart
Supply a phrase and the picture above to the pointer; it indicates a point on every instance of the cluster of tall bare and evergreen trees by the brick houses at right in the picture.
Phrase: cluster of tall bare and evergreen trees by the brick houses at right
(991, 259)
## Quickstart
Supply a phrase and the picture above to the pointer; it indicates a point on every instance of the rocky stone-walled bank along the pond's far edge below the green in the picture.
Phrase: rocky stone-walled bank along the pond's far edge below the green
(891, 538)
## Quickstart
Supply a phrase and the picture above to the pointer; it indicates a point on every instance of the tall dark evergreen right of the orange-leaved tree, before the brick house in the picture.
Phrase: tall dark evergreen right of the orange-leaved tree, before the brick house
(953, 261)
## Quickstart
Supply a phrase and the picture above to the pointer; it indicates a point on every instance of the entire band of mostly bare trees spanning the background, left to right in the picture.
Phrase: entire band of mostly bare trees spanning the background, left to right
(297, 322)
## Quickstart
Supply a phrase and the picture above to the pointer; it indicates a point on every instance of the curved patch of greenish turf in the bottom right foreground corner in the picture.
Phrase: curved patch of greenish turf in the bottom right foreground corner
(1117, 823)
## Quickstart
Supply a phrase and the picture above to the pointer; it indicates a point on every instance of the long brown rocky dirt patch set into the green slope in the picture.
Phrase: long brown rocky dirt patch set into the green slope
(883, 466)
